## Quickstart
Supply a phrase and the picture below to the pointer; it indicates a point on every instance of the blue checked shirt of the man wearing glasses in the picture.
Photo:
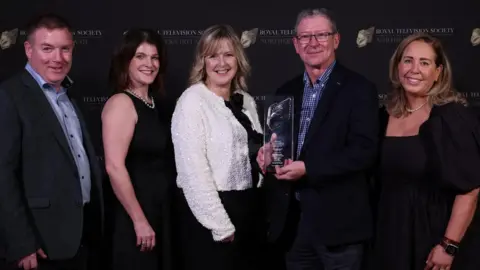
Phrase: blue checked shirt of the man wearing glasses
(311, 96)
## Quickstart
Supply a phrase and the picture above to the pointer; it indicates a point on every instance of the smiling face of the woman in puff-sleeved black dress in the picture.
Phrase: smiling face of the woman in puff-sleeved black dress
(417, 70)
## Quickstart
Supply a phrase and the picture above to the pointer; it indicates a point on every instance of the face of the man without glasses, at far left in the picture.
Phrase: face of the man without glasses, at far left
(49, 52)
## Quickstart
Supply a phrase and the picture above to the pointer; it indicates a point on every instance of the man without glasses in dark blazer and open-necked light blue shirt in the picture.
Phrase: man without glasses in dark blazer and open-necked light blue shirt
(50, 183)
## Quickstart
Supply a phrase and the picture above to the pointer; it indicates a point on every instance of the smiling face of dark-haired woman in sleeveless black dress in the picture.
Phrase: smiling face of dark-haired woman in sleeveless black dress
(143, 68)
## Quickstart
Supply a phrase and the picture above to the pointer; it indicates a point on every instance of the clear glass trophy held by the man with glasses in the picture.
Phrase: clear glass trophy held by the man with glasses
(278, 131)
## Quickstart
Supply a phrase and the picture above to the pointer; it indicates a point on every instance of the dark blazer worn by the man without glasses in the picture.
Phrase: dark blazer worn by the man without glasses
(40, 197)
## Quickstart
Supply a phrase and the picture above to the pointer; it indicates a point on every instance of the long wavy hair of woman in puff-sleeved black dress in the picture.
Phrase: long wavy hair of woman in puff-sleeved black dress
(442, 91)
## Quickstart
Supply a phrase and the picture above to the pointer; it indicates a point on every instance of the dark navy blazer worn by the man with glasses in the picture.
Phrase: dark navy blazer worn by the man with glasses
(339, 151)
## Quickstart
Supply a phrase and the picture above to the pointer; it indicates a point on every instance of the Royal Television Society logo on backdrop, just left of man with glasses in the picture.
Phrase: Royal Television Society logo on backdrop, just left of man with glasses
(267, 36)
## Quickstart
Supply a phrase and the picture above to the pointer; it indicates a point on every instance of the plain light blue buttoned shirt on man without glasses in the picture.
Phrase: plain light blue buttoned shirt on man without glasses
(70, 124)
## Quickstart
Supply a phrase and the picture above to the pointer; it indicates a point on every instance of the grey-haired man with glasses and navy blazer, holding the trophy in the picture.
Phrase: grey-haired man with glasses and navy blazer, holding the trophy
(320, 200)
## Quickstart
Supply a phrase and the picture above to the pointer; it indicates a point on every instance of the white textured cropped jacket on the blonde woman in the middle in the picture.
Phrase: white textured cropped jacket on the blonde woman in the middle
(211, 154)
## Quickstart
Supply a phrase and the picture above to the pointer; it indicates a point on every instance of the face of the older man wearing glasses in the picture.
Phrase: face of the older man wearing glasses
(316, 41)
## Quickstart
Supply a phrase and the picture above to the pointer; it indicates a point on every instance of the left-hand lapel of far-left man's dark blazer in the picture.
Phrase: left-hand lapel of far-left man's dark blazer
(38, 102)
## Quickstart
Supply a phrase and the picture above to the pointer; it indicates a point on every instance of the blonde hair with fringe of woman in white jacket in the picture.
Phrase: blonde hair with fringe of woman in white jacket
(209, 44)
